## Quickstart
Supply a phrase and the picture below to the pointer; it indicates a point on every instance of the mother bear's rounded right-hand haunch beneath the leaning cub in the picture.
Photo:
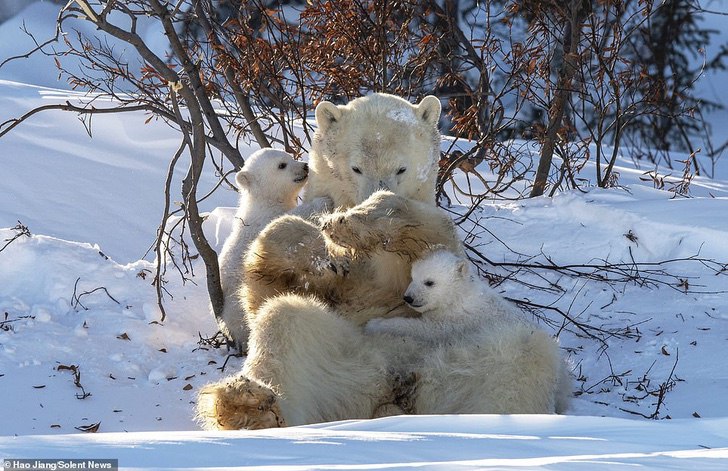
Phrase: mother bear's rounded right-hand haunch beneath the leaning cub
(518, 372)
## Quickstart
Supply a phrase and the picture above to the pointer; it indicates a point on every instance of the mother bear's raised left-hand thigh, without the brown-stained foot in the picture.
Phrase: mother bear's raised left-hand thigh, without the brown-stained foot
(289, 354)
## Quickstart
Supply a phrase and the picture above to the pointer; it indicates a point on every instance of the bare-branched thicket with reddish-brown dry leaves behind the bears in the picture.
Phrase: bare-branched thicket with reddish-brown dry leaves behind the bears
(563, 73)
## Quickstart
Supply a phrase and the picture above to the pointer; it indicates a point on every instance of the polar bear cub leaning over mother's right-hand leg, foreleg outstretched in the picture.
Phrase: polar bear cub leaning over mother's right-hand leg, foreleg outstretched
(453, 301)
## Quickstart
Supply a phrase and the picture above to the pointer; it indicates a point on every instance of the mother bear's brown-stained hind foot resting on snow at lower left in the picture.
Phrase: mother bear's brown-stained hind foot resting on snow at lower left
(238, 403)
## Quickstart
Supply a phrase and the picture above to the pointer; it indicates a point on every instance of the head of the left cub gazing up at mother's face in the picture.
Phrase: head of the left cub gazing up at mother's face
(273, 175)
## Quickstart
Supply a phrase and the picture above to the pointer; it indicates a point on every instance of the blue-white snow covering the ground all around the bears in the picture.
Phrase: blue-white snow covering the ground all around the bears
(76, 298)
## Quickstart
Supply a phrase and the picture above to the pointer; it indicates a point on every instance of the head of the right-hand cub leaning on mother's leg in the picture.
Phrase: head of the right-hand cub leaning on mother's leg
(436, 280)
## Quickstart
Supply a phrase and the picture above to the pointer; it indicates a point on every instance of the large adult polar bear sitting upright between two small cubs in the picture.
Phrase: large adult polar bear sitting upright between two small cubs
(307, 362)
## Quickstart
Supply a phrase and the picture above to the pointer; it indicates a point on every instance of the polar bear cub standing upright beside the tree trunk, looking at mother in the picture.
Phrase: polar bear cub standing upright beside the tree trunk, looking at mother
(269, 185)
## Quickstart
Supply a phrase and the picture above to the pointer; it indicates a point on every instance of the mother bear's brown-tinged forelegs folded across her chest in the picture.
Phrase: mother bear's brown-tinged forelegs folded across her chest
(358, 263)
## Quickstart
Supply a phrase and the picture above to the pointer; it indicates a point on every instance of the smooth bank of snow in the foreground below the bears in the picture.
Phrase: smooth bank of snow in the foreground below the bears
(419, 442)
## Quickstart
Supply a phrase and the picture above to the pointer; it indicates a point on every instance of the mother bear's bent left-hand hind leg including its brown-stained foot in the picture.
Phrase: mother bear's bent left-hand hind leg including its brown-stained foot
(306, 364)
